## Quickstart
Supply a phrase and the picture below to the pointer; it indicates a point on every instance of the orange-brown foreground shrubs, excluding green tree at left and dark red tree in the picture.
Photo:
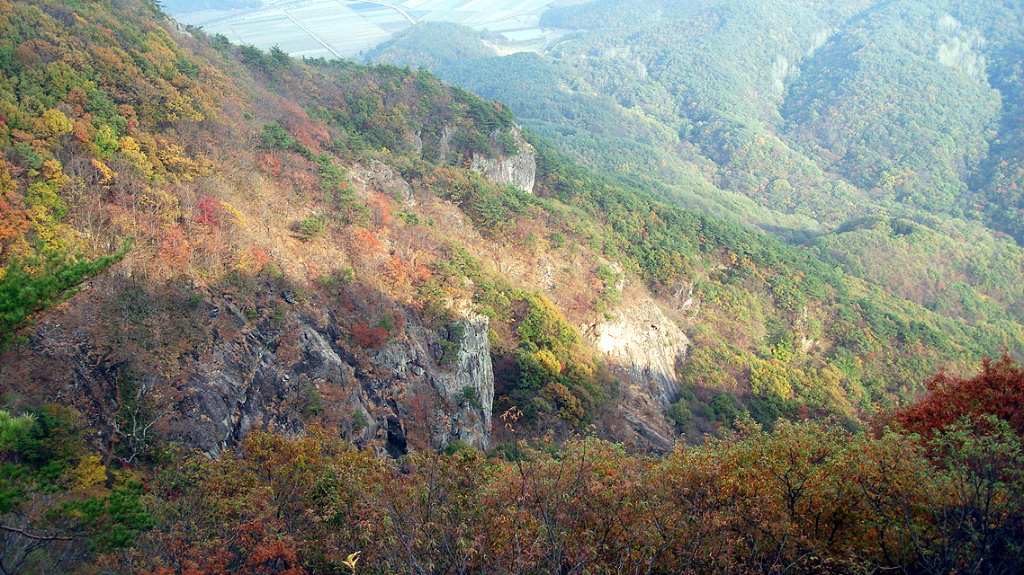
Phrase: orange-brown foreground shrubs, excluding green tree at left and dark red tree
(803, 500)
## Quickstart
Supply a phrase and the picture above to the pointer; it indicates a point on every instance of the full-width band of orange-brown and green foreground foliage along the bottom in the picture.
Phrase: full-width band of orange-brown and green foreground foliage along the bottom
(805, 499)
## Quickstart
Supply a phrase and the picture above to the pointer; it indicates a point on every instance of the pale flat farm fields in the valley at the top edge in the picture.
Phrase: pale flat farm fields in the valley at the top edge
(334, 29)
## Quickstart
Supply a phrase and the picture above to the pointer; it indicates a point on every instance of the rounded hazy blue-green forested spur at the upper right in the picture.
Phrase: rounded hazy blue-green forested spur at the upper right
(900, 103)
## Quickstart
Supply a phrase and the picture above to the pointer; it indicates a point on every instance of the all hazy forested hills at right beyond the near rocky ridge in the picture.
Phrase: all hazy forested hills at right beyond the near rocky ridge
(878, 137)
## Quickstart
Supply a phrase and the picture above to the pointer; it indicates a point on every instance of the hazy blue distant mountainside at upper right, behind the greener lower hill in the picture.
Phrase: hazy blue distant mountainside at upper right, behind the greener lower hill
(809, 109)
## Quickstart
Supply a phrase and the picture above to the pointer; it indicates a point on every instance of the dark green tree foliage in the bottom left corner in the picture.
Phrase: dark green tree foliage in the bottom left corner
(59, 504)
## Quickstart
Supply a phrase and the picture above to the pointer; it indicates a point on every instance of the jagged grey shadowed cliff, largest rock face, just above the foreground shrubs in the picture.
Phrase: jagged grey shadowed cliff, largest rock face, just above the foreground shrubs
(409, 392)
